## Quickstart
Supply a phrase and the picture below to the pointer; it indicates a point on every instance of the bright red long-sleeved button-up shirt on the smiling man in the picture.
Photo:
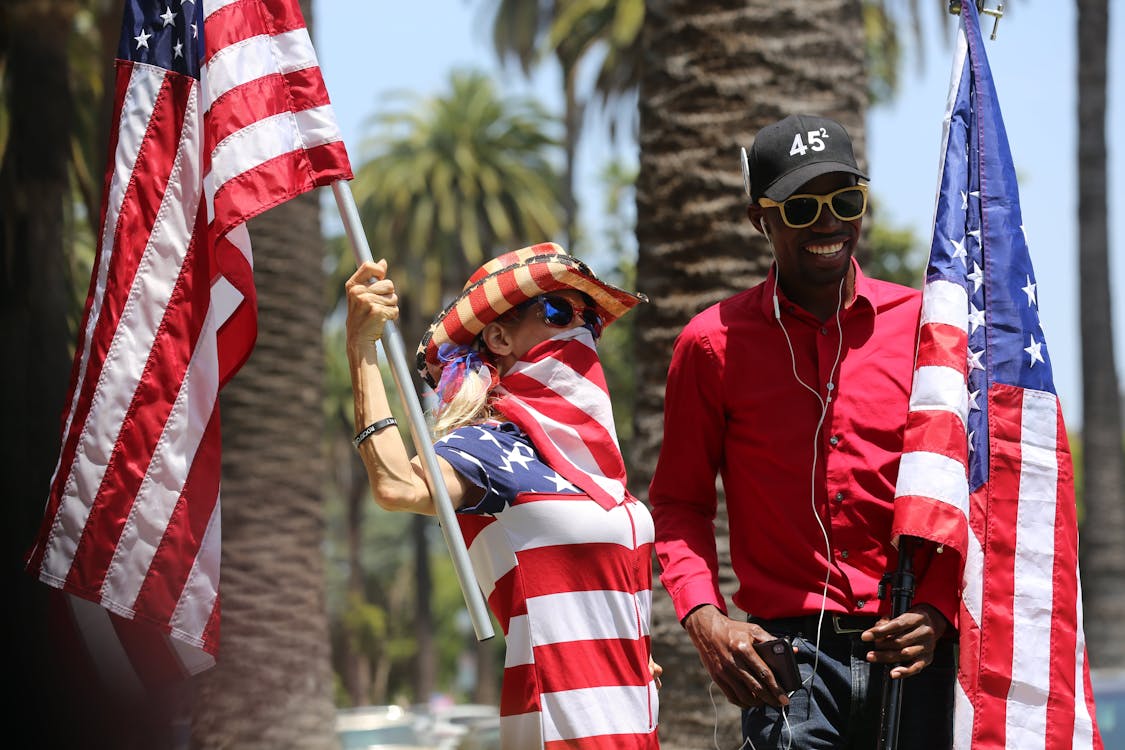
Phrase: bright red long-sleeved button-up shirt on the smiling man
(735, 409)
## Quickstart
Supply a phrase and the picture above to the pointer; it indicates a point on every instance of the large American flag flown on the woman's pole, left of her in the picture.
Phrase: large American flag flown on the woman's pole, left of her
(221, 113)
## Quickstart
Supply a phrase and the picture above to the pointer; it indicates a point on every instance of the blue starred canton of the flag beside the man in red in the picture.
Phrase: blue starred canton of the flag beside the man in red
(979, 243)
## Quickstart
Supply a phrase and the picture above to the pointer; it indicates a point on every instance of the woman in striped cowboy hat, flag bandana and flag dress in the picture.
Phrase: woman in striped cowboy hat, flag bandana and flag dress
(529, 455)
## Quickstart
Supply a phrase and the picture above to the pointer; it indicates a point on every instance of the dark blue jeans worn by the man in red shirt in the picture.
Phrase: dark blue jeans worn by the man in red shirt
(840, 709)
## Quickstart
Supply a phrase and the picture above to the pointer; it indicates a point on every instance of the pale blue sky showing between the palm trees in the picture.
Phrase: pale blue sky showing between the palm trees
(368, 48)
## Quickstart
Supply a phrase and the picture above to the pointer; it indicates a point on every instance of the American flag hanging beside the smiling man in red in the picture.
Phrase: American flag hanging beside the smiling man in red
(987, 468)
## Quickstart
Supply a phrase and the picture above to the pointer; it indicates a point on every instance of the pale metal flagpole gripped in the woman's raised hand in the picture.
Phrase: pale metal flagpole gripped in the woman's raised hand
(397, 354)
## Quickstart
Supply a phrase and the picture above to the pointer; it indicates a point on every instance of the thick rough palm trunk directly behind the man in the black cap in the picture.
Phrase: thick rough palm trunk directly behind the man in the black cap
(715, 71)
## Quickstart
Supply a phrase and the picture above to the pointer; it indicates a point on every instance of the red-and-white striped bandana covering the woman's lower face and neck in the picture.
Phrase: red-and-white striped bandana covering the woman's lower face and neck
(560, 397)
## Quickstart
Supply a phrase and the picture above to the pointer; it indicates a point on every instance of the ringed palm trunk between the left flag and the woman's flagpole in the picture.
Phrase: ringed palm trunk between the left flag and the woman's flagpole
(273, 684)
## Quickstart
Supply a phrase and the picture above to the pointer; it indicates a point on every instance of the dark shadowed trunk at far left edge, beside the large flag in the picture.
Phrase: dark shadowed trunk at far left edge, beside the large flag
(35, 300)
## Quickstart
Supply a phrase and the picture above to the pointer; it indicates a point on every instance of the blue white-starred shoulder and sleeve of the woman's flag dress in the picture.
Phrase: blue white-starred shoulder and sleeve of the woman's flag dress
(500, 458)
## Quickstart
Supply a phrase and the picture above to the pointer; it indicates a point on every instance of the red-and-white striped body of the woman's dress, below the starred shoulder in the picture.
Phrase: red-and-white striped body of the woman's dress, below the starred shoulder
(575, 629)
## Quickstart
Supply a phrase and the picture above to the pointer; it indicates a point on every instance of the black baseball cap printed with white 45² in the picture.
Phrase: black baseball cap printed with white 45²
(791, 152)
